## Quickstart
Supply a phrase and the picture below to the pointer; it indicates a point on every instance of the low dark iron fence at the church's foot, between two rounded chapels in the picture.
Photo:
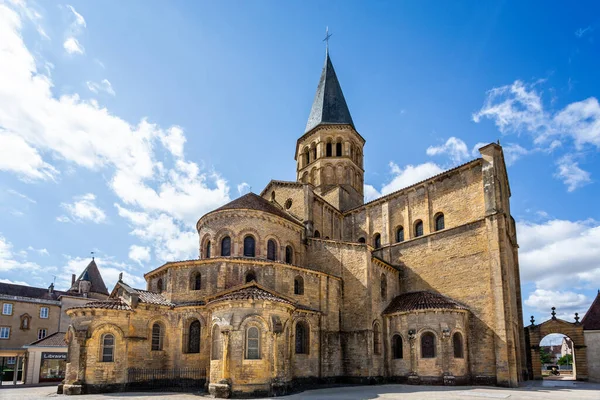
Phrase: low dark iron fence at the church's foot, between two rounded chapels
(175, 379)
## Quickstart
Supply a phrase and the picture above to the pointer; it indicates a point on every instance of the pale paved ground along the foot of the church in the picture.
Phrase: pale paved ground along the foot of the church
(530, 390)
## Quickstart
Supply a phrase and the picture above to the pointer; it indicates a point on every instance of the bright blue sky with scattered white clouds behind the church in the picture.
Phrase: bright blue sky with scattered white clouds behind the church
(121, 123)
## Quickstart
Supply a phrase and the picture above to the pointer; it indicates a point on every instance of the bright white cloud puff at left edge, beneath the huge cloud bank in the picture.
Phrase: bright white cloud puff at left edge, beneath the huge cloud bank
(17, 156)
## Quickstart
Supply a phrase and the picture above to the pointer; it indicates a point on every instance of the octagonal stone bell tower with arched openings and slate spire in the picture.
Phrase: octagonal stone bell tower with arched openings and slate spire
(330, 153)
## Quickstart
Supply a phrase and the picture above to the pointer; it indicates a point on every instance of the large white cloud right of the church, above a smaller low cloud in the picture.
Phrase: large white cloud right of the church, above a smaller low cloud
(560, 254)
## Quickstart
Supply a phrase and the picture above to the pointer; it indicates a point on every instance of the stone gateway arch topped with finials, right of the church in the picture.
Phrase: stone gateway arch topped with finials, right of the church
(574, 330)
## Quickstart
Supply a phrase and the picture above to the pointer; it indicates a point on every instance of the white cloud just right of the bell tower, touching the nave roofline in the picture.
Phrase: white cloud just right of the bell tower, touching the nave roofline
(403, 177)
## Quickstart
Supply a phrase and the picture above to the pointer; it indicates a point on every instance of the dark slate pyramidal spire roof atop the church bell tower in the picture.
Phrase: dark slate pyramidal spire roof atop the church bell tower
(329, 106)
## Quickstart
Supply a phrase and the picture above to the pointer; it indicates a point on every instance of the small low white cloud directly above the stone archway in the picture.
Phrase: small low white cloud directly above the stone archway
(566, 302)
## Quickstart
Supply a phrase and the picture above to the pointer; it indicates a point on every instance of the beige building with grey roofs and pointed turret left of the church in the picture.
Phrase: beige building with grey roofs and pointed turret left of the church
(30, 314)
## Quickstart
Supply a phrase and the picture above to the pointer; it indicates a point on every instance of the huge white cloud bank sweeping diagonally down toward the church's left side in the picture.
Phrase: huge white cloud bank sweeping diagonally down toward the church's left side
(170, 194)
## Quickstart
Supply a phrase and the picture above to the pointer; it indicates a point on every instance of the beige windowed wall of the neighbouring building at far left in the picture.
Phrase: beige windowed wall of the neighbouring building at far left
(19, 337)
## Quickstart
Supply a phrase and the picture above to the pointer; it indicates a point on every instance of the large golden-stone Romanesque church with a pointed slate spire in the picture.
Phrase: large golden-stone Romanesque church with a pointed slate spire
(306, 283)
